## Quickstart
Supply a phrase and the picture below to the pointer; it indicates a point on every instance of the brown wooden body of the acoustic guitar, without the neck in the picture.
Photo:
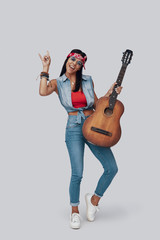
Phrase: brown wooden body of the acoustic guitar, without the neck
(105, 120)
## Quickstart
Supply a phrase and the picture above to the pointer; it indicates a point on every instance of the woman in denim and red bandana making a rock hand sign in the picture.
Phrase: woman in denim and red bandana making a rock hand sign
(76, 94)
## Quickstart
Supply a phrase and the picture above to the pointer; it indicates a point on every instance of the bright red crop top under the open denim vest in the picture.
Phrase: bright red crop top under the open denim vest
(78, 99)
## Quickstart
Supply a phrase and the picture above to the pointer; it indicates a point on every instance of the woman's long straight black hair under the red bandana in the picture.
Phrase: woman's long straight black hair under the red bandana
(78, 73)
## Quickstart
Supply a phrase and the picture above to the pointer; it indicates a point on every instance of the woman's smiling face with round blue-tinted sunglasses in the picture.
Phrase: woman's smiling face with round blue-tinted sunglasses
(73, 65)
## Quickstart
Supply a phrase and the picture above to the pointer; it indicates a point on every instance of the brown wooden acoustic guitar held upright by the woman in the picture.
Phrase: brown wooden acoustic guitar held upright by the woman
(103, 128)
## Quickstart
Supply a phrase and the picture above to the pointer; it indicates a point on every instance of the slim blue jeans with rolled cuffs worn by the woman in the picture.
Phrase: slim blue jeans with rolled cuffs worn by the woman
(75, 142)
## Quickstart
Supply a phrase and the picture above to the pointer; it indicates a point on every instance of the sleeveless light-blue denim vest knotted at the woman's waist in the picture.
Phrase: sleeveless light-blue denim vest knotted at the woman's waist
(64, 94)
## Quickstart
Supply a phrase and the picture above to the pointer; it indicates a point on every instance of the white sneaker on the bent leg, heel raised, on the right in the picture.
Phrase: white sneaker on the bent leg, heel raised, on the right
(91, 209)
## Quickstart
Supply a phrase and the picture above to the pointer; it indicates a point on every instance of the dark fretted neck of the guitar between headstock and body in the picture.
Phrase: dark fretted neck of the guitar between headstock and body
(113, 97)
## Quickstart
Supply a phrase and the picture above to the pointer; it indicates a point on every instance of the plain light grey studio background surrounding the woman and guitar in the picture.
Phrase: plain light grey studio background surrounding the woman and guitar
(34, 167)
